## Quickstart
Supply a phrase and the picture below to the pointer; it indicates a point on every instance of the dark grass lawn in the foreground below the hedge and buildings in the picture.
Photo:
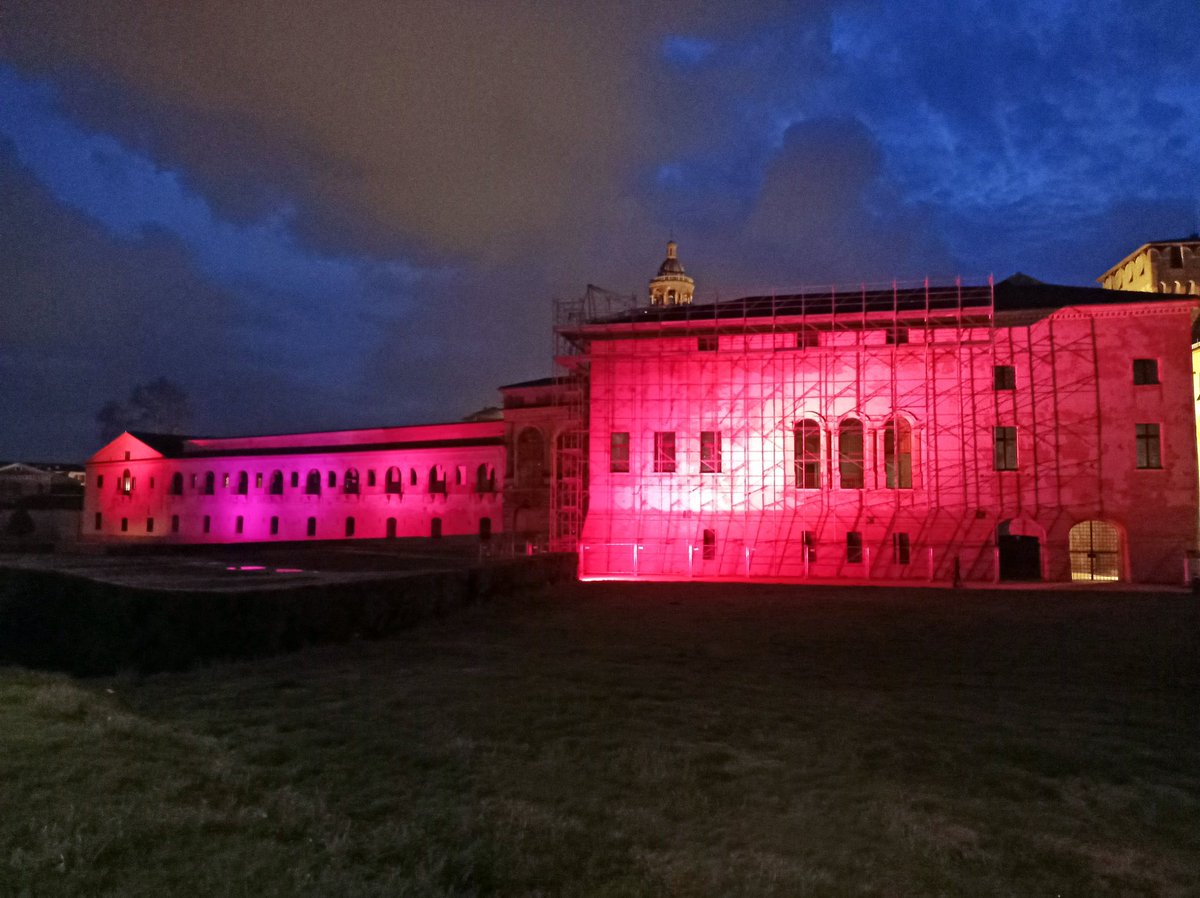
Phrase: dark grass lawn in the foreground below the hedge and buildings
(615, 740)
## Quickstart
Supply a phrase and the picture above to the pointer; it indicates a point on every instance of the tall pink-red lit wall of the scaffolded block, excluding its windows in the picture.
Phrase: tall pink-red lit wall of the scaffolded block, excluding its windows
(1075, 408)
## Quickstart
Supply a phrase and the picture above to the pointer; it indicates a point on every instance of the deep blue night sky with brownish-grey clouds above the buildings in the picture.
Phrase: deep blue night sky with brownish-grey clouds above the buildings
(350, 214)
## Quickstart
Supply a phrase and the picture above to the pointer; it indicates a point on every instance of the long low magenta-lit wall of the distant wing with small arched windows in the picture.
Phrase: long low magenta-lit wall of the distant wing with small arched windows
(137, 494)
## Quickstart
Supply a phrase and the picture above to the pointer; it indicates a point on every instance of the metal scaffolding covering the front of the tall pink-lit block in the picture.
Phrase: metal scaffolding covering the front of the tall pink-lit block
(877, 352)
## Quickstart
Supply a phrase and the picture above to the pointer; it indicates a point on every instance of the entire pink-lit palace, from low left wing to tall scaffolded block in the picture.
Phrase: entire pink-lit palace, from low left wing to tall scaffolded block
(1010, 432)
